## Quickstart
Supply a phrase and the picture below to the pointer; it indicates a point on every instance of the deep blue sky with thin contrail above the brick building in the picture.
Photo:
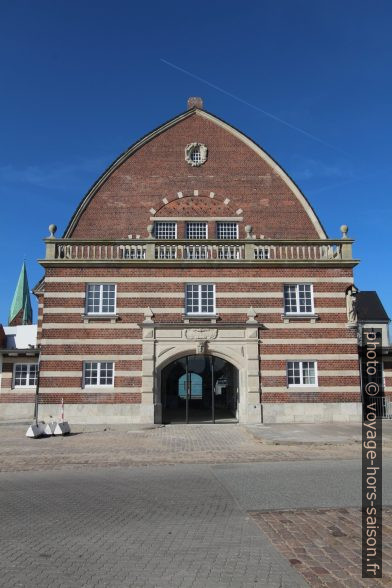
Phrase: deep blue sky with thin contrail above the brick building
(81, 81)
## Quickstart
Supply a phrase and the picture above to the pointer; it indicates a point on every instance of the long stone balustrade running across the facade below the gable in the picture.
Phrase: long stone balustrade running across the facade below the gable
(248, 251)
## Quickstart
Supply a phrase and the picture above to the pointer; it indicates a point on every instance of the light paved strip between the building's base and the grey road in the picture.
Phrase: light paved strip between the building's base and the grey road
(122, 446)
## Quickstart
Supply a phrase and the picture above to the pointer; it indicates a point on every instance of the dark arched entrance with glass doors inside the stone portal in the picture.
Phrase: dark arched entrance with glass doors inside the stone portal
(198, 389)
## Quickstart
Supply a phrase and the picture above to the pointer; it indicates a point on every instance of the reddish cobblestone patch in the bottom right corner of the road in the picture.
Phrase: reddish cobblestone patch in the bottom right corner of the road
(324, 545)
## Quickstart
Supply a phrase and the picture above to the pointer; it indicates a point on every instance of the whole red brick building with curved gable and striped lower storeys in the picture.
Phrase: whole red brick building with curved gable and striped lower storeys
(195, 282)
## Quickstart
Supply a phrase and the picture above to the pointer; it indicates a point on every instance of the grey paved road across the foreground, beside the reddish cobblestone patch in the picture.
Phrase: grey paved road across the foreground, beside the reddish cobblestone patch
(158, 526)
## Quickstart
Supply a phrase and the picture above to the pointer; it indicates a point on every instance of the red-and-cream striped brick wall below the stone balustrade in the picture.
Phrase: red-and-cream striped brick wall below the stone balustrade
(126, 341)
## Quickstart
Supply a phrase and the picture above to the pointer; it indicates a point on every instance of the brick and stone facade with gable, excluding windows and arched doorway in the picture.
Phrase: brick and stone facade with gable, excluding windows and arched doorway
(152, 181)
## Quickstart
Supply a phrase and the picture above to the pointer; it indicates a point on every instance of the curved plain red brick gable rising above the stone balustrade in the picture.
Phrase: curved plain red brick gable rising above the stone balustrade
(145, 177)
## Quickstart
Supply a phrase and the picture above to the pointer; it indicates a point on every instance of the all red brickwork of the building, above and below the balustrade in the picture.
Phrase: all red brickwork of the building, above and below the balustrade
(153, 178)
